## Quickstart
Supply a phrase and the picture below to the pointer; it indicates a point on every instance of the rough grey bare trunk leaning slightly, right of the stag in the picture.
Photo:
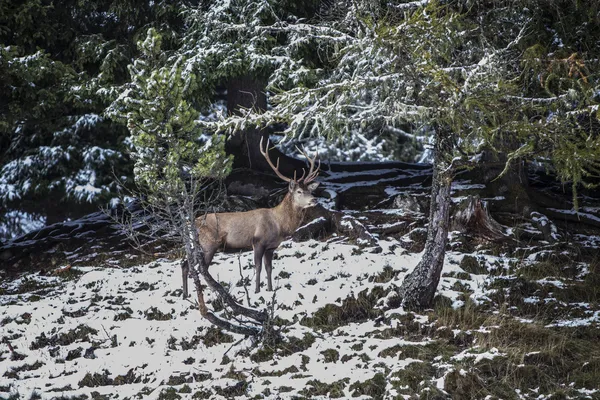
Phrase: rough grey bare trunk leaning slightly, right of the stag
(418, 288)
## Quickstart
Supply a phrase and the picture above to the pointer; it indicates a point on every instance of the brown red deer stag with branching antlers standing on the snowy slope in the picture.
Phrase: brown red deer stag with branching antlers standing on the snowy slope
(262, 229)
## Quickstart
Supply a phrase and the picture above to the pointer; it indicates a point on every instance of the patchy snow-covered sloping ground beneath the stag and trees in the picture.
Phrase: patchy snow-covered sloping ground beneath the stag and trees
(127, 333)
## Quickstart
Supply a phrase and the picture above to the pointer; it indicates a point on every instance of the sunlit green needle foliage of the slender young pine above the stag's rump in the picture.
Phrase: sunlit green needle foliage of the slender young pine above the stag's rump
(168, 145)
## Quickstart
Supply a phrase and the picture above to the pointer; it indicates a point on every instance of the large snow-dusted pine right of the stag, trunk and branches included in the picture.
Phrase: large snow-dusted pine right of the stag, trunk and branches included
(437, 67)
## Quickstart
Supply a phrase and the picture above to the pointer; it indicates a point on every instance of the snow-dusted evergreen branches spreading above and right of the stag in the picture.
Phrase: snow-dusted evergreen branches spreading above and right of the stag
(518, 77)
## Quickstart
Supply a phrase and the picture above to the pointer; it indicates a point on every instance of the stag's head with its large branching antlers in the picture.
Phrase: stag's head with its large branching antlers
(299, 189)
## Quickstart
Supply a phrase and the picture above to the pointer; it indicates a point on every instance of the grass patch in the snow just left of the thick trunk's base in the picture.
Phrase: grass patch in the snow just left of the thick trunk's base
(353, 309)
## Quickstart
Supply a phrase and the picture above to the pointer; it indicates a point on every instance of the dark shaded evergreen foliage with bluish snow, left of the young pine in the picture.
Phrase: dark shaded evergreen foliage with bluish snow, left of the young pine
(60, 65)
